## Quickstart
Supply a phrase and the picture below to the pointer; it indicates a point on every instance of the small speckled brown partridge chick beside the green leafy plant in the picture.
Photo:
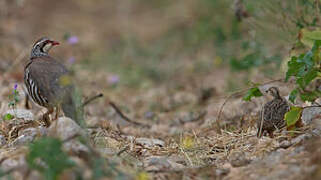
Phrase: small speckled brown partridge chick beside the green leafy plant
(272, 114)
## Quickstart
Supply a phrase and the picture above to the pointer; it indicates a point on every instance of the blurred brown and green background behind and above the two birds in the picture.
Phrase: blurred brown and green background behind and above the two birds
(144, 43)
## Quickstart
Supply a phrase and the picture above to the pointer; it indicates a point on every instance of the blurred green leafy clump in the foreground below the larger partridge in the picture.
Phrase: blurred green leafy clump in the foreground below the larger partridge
(45, 155)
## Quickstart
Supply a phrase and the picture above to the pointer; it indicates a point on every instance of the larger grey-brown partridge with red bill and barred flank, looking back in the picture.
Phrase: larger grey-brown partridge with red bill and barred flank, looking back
(48, 82)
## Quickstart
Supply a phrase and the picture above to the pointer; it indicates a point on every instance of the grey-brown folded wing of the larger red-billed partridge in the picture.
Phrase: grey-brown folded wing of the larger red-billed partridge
(51, 77)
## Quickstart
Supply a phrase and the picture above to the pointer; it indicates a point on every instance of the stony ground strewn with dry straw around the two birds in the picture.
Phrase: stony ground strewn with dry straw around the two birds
(177, 140)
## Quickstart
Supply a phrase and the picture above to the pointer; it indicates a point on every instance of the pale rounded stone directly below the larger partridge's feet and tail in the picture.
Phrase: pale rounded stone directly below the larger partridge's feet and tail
(64, 128)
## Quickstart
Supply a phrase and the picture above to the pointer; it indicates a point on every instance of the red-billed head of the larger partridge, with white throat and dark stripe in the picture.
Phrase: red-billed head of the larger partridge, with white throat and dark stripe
(42, 47)
